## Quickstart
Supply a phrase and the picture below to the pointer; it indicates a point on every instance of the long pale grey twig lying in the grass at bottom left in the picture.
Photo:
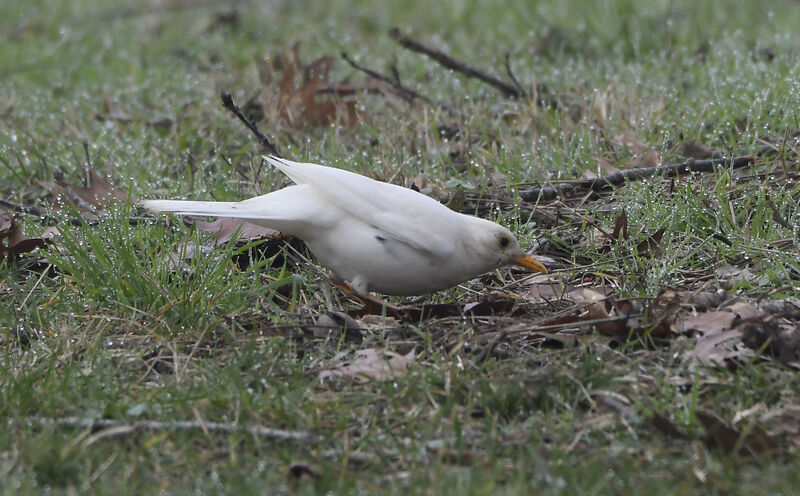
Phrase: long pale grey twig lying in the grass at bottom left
(173, 426)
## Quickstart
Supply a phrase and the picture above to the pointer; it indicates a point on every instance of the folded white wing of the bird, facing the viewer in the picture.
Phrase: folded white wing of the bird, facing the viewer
(401, 213)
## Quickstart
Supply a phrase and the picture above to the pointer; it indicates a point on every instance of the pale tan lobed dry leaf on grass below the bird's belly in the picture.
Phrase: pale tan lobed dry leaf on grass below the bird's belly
(371, 364)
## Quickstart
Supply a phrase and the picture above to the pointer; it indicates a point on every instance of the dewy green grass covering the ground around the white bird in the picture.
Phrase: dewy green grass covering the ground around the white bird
(117, 330)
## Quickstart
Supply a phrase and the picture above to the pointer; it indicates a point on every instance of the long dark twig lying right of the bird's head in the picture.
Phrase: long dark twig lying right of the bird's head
(608, 182)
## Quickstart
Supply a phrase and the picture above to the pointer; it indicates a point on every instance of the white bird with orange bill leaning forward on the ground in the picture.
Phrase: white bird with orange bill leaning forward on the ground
(374, 236)
